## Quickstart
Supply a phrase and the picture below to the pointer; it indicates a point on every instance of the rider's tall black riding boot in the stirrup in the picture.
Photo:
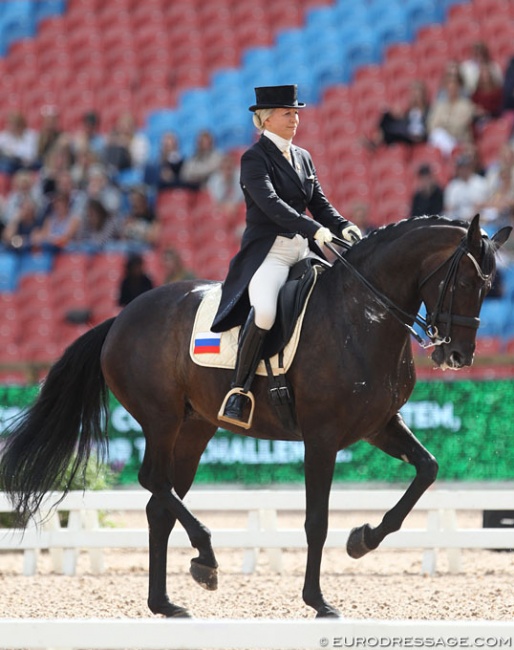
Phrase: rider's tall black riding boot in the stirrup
(248, 357)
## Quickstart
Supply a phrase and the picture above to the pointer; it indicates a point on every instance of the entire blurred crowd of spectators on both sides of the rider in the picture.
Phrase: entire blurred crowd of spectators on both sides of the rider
(68, 190)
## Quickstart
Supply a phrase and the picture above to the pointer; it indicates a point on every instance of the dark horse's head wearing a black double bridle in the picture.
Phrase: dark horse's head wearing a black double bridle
(453, 291)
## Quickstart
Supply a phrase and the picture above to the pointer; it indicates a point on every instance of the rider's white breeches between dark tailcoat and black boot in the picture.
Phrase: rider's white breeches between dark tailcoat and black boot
(271, 276)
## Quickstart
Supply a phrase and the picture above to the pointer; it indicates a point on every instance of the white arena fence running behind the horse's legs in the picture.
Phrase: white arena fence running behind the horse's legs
(84, 532)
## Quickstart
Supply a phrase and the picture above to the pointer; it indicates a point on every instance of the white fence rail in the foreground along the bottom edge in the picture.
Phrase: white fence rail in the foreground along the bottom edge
(235, 634)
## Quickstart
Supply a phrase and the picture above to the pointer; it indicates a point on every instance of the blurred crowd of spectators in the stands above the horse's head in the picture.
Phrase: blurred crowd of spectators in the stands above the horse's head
(471, 94)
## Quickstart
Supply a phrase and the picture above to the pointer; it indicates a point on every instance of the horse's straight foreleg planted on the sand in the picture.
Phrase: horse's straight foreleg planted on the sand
(319, 470)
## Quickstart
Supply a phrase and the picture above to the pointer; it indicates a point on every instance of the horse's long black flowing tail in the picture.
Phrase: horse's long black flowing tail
(53, 439)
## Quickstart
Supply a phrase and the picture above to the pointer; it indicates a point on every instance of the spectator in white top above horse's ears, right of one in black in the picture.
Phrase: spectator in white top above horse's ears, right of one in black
(465, 192)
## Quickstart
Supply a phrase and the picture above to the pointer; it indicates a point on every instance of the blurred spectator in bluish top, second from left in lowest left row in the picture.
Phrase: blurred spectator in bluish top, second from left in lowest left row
(61, 225)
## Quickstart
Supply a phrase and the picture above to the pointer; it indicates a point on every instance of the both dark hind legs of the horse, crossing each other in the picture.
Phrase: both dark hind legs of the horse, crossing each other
(168, 471)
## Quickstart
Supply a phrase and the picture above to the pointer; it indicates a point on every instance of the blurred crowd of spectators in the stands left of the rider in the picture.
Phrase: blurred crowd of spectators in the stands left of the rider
(66, 190)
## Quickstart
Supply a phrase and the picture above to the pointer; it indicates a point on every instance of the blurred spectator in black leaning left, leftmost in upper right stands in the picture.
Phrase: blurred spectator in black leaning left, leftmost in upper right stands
(407, 125)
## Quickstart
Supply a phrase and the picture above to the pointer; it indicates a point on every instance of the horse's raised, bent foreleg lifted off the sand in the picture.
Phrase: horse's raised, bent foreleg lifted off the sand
(398, 441)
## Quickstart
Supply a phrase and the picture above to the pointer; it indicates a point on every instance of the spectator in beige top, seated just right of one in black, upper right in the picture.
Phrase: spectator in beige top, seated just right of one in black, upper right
(450, 119)
